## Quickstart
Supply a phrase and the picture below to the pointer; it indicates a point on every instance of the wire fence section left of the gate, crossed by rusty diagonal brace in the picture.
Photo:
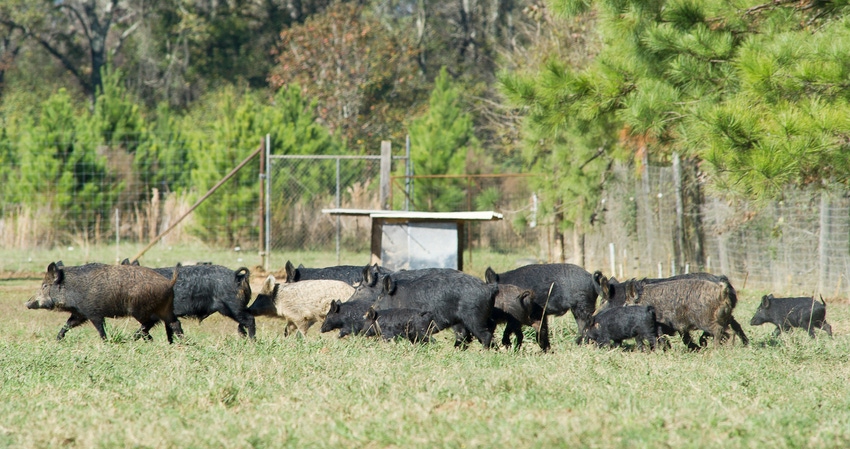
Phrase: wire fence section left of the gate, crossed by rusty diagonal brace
(106, 211)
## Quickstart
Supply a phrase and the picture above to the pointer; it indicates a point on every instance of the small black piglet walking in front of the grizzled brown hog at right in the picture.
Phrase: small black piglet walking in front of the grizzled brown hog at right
(616, 324)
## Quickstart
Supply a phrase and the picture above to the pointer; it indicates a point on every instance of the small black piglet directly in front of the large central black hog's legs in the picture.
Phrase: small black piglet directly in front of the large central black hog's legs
(410, 324)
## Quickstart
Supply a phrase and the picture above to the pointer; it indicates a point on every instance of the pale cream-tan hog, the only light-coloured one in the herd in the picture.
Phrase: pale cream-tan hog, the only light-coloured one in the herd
(301, 304)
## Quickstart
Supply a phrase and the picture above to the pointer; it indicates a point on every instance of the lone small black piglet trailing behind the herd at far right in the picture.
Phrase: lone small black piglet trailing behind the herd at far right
(785, 313)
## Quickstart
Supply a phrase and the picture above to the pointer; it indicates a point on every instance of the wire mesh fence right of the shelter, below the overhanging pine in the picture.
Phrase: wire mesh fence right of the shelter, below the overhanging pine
(795, 246)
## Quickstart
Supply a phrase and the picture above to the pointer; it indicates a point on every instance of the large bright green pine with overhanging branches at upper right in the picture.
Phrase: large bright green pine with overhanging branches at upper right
(752, 91)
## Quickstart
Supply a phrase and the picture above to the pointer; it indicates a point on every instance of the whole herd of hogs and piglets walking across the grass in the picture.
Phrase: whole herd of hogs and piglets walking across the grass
(414, 304)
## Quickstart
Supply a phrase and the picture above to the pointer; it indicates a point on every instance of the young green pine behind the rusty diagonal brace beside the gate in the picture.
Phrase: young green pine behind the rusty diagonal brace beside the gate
(232, 127)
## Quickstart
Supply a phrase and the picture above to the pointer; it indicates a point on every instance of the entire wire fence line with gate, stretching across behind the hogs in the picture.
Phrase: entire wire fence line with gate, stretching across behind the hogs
(799, 245)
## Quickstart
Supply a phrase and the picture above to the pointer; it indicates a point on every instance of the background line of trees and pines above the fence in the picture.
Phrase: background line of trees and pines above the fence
(745, 97)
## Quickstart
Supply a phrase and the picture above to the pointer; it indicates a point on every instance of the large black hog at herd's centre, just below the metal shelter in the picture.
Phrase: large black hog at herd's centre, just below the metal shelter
(455, 299)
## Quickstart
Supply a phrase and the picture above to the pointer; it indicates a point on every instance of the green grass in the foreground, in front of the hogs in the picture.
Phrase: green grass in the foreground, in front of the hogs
(217, 390)
